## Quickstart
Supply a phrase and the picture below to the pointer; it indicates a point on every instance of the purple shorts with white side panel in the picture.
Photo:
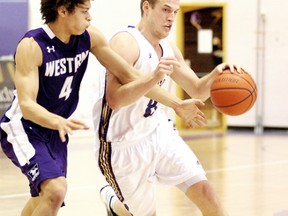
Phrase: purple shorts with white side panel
(39, 153)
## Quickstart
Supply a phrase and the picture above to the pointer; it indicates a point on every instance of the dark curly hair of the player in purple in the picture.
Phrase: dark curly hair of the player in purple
(49, 8)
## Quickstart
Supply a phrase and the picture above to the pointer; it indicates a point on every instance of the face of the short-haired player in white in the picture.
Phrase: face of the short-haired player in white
(162, 17)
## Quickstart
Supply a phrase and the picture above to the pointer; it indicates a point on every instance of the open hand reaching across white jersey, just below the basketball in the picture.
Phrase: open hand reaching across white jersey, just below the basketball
(189, 111)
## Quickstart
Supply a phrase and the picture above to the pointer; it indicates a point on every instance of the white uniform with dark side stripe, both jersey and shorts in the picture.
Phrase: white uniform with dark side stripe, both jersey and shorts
(138, 146)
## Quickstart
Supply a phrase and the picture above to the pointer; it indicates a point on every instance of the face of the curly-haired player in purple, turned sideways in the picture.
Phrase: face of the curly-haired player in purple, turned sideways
(80, 19)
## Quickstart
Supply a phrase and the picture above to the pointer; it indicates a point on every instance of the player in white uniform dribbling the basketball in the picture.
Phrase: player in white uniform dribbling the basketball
(138, 144)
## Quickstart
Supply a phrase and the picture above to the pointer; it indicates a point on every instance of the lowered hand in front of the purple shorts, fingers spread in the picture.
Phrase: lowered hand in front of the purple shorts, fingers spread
(67, 126)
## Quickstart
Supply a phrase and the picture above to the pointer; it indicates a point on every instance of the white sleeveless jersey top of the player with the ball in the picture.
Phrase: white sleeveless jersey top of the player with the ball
(136, 120)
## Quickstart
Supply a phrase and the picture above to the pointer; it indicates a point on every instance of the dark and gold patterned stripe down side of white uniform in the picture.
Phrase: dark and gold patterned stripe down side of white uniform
(105, 150)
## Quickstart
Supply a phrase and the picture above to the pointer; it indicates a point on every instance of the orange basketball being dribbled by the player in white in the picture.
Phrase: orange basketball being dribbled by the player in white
(233, 93)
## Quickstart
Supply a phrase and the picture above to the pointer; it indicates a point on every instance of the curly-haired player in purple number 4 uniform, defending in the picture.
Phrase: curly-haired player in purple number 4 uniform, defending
(50, 64)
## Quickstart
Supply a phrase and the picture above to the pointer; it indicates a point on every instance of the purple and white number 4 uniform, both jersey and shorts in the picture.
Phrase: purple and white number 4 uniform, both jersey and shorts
(38, 151)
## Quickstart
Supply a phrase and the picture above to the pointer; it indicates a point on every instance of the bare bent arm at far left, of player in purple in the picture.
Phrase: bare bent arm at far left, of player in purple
(28, 58)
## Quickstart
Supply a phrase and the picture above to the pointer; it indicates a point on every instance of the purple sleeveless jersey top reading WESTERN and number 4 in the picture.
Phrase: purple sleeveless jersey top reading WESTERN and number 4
(62, 70)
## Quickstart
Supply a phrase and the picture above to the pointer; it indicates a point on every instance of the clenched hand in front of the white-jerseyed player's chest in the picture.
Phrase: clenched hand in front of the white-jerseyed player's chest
(165, 67)
